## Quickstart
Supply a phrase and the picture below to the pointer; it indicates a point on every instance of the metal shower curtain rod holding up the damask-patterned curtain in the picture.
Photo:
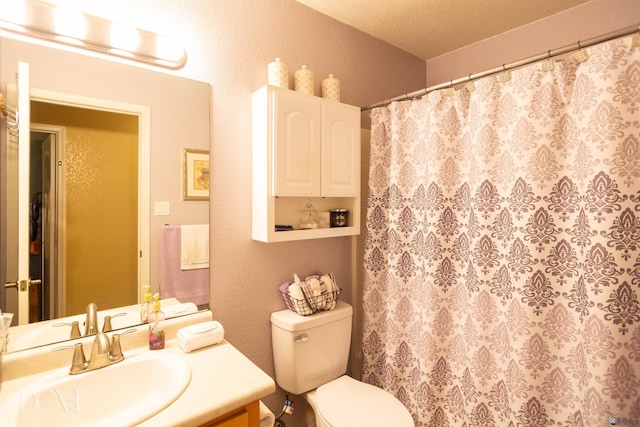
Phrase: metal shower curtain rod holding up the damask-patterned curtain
(526, 61)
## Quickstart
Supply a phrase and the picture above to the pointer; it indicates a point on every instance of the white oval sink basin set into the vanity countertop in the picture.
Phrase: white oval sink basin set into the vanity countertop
(123, 394)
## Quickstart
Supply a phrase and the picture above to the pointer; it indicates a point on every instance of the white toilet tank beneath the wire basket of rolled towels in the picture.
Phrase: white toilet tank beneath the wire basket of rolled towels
(309, 351)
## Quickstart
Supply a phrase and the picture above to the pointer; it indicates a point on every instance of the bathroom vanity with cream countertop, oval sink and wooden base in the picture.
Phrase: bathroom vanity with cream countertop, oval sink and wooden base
(224, 388)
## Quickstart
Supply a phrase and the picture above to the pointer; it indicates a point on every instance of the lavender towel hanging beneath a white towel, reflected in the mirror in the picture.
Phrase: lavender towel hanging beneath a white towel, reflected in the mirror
(184, 285)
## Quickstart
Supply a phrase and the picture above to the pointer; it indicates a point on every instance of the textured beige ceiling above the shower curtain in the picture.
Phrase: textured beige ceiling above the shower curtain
(429, 28)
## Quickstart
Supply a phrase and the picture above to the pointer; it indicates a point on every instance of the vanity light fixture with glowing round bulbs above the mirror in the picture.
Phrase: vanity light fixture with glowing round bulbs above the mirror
(60, 24)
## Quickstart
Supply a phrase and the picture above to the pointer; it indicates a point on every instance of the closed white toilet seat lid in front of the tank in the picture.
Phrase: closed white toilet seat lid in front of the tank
(346, 402)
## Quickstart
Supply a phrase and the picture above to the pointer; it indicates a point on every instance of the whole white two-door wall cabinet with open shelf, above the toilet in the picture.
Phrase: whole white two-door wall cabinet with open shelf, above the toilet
(304, 147)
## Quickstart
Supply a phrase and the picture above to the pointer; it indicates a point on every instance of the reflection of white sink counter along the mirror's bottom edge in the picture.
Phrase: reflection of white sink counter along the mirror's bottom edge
(47, 333)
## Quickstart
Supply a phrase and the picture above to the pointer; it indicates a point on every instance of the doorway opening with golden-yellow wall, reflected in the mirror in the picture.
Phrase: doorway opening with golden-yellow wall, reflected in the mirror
(99, 232)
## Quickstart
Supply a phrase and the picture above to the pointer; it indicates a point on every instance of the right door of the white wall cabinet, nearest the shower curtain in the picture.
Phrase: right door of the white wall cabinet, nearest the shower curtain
(340, 150)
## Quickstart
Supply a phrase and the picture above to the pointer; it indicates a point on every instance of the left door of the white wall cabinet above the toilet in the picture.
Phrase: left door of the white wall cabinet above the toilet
(296, 145)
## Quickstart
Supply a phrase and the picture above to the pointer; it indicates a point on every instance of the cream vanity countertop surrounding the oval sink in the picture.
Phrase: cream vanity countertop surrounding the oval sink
(222, 378)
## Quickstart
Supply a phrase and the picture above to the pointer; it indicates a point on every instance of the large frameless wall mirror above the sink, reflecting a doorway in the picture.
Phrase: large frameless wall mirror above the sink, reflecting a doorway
(107, 205)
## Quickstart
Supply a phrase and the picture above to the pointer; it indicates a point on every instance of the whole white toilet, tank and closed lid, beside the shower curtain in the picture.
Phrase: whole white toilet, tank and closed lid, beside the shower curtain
(310, 355)
